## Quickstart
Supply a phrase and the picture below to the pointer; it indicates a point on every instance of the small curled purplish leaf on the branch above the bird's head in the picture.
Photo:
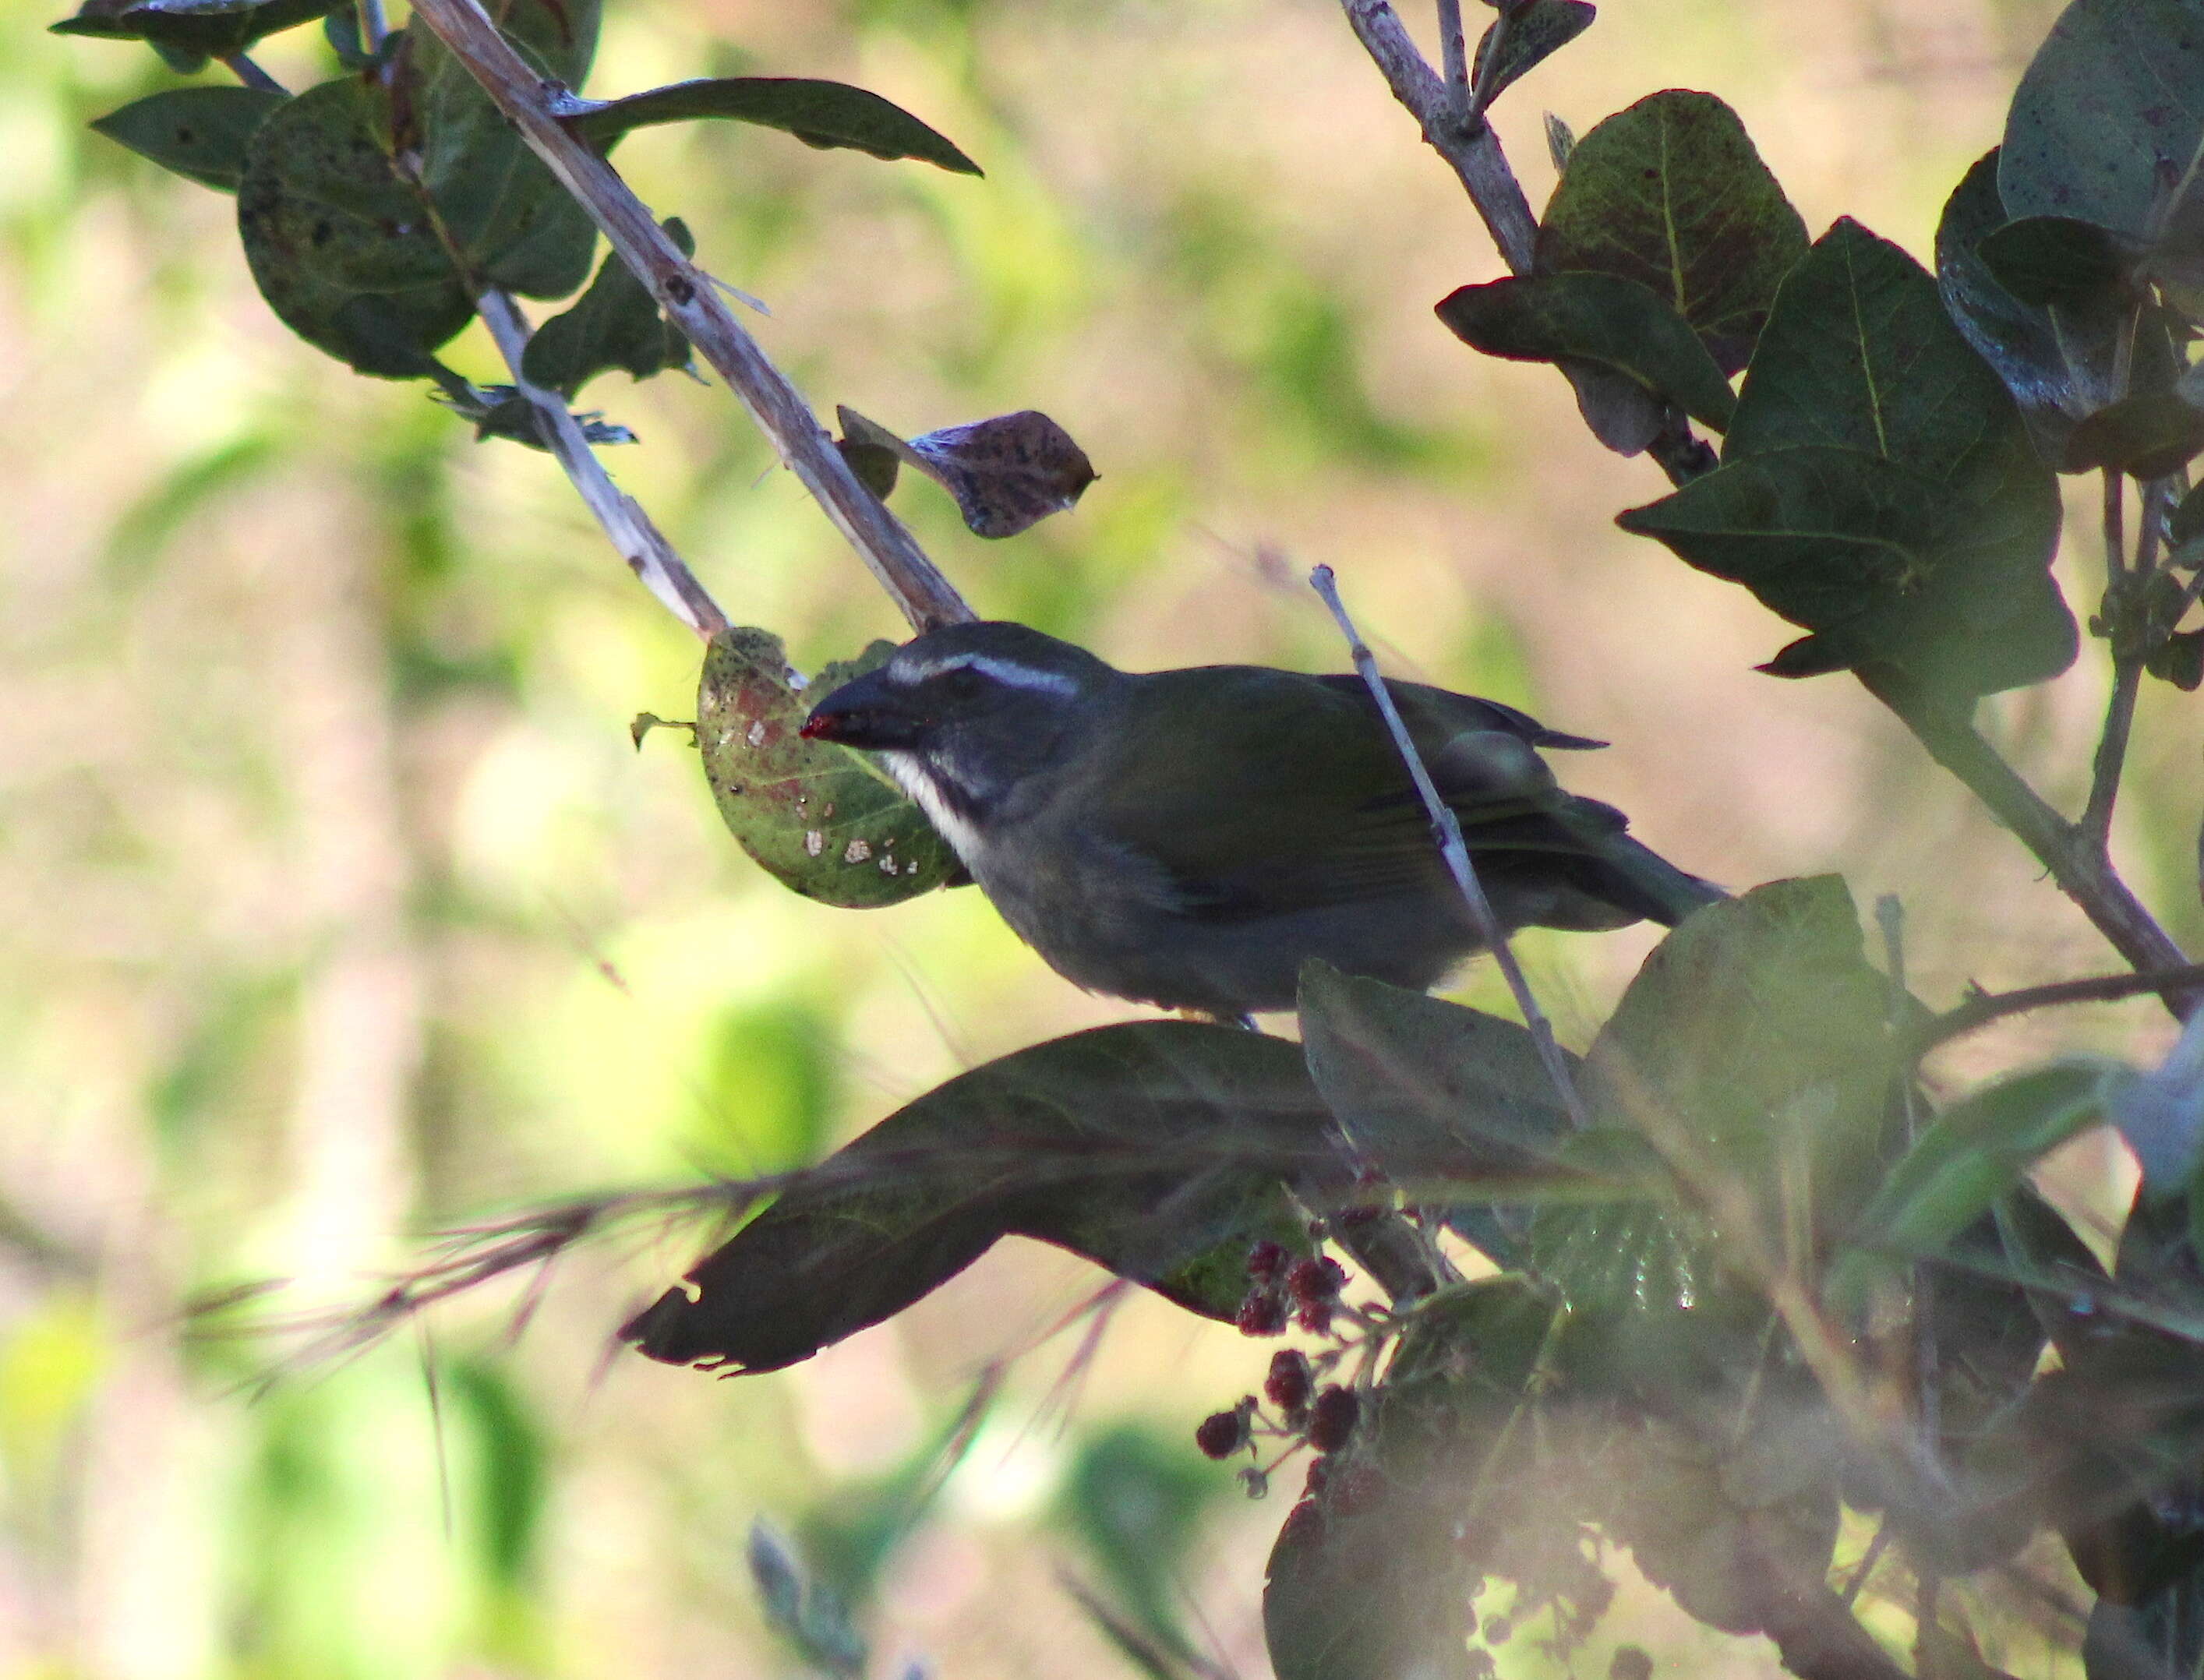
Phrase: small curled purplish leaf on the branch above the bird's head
(1006, 473)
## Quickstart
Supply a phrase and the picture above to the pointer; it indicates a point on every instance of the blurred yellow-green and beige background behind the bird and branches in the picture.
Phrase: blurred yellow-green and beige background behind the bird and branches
(336, 905)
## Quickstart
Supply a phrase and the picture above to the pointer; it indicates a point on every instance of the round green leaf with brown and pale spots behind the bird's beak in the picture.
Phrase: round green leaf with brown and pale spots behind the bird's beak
(814, 815)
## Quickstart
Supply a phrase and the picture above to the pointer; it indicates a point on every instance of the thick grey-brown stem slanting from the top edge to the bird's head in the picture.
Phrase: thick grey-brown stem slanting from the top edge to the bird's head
(693, 303)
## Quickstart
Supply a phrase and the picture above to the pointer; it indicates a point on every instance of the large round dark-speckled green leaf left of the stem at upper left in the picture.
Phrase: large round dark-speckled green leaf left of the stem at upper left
(338, 246)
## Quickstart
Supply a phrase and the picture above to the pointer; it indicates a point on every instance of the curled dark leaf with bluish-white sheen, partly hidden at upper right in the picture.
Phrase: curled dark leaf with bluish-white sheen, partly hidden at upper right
(2057, 365)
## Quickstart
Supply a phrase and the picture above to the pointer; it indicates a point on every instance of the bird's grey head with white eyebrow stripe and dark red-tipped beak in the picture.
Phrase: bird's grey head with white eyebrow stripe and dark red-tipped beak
(973, 709)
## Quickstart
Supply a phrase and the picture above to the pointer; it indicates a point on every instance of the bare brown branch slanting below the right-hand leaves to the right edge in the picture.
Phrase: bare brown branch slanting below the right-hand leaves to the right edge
(2082, 870)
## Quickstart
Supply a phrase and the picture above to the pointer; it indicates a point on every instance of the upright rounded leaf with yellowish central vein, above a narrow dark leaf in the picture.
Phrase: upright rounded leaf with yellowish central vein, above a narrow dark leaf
(1674, 197)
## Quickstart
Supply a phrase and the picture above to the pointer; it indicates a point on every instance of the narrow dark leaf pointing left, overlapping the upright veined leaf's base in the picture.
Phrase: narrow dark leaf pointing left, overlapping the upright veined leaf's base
(1595, 319)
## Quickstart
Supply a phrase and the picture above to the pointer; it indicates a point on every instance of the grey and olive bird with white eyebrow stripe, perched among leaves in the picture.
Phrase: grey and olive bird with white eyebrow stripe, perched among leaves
(1191, 837)
